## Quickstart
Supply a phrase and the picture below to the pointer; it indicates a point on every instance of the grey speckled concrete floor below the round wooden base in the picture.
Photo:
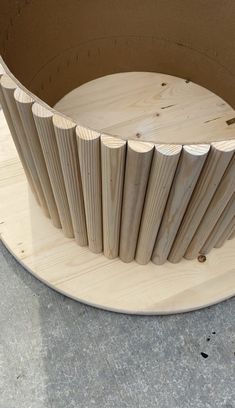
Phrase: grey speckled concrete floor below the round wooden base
(55, 352)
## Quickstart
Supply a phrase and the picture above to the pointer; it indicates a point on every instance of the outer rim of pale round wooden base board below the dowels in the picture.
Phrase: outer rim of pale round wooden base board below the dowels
(92, 279)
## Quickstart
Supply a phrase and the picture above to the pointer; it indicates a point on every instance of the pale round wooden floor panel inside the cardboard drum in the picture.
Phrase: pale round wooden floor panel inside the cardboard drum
(151, 107)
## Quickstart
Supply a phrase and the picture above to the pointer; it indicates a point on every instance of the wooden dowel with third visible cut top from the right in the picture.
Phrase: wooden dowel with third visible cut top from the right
(162, 172)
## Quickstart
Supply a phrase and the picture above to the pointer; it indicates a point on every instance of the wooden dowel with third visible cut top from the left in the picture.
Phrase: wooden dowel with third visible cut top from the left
(46, 133)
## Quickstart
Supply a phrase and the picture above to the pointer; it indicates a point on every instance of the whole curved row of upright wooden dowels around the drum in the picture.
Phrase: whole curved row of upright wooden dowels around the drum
(129, 199)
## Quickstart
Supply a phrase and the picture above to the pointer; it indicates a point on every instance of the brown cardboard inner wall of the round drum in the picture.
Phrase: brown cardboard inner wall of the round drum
(54, 46)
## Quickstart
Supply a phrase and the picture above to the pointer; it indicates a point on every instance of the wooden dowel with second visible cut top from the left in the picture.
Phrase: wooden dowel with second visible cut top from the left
(24, 104)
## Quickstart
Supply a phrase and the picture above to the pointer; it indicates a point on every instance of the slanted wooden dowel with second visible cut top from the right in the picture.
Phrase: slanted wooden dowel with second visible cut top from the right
(189, 168)
